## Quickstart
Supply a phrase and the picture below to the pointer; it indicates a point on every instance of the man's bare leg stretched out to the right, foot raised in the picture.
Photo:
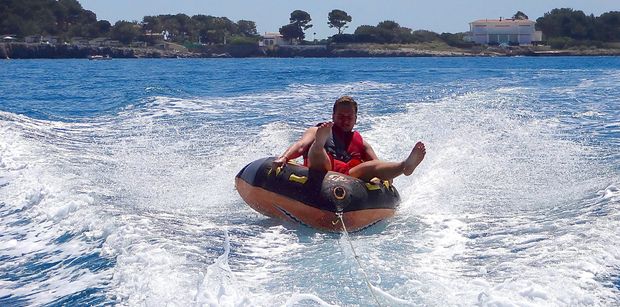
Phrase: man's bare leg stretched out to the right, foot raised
(390, 170)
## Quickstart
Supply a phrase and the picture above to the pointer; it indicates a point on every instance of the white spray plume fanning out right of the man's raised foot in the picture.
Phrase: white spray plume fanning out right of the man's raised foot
(480, 155)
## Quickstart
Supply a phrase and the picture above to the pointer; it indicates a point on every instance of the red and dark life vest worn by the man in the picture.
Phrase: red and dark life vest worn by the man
(345, 150)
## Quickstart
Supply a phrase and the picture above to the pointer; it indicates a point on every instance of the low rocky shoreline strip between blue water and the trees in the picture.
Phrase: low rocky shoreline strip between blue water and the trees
(40, 51)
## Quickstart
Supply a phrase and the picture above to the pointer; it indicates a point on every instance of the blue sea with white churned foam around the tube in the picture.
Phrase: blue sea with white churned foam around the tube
(117, 182)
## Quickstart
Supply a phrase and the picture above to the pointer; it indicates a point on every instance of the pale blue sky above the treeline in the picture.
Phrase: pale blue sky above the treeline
(437, 15)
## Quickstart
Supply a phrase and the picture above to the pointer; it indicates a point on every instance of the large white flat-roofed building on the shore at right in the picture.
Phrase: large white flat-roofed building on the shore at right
(503, 31)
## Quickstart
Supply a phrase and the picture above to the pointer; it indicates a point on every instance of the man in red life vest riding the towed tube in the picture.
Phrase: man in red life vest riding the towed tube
(334, 146)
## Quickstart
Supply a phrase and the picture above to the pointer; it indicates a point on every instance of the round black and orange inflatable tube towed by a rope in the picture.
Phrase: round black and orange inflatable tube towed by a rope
(295, 193)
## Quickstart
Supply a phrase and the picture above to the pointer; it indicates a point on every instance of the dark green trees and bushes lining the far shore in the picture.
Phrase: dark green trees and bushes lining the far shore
(67, 20)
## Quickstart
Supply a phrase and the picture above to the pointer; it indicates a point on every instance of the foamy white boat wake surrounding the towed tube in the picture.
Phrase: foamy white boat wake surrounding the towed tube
(139, 207)
